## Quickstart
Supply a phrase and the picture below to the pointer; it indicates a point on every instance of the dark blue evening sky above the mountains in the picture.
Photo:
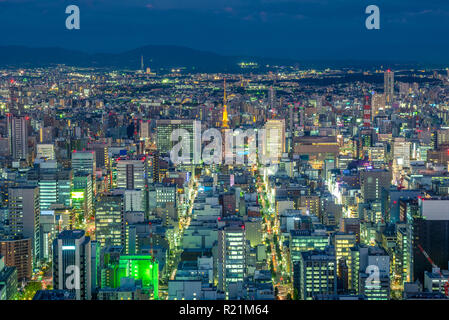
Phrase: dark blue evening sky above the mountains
(411, 30)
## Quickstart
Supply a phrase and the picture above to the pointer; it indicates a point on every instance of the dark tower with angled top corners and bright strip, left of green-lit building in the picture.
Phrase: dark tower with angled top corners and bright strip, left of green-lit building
(72, 264)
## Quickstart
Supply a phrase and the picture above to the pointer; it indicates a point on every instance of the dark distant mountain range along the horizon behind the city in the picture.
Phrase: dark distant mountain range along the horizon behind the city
(157, 58)
